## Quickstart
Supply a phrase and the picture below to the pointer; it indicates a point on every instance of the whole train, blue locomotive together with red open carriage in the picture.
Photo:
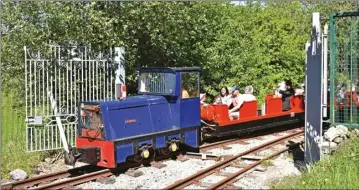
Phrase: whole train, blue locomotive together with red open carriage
(166, 117)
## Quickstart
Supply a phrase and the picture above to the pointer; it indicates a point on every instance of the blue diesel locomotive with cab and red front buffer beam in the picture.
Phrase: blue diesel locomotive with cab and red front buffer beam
(161, 119)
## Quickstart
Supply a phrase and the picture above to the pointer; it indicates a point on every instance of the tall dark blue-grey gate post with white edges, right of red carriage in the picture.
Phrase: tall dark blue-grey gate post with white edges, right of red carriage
(314, 94)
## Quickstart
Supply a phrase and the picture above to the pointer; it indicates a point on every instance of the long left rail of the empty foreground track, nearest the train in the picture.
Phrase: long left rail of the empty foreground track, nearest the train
(205, 172)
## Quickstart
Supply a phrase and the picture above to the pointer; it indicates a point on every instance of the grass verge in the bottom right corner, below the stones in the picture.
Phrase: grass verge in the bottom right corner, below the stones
(339, 171)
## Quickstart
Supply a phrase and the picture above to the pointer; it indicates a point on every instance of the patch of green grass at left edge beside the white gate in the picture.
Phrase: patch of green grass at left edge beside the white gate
(13, 140)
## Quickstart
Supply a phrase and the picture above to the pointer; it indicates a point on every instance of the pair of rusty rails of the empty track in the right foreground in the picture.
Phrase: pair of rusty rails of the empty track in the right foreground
(229, 179)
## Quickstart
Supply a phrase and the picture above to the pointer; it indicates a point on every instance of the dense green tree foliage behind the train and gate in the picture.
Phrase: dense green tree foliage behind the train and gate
(256, 44)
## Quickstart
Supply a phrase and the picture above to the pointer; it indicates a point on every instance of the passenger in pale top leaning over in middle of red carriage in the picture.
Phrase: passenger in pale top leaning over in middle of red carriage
(239, 99)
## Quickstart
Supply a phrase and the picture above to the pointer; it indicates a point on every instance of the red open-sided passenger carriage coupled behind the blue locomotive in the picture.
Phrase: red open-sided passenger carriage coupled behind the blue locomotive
(217, 123)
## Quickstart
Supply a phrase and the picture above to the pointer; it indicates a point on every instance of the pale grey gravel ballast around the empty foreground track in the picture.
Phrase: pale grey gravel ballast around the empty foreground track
(154, 178)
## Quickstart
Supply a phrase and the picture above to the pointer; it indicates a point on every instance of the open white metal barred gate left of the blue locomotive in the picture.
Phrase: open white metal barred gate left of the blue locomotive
(70, 75)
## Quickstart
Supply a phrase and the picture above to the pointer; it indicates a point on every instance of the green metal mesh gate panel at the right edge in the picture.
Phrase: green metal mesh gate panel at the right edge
(344, 78)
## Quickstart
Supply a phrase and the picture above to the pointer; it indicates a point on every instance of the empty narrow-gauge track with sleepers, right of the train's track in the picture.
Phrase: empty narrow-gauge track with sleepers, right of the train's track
(235, 160)
